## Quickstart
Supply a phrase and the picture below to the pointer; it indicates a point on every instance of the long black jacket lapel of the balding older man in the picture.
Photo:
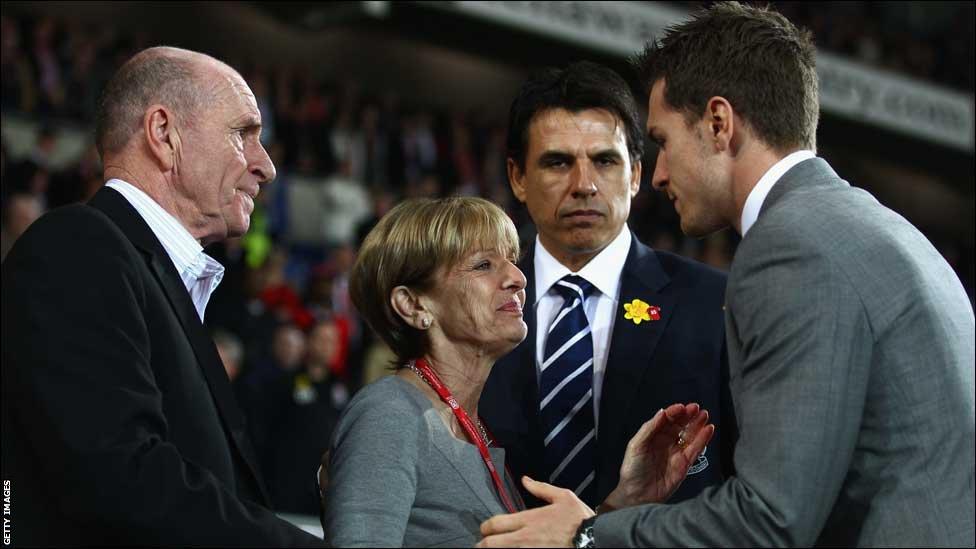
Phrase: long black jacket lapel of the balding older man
(125, 216)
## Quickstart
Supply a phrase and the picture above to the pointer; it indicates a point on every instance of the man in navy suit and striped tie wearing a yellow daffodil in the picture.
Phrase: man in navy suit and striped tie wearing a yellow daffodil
(565, 402)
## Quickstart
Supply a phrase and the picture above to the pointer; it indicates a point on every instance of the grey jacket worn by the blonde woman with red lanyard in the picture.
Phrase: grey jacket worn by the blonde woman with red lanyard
(398, 477)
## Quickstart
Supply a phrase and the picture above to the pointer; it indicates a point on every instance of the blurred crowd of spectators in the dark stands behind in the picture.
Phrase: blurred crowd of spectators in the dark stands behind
(282, 319)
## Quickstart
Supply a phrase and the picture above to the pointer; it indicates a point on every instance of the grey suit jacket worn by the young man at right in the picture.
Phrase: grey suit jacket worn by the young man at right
(851, 356)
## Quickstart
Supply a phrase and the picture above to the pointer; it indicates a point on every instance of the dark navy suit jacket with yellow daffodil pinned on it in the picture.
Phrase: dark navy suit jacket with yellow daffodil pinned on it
(679, 358)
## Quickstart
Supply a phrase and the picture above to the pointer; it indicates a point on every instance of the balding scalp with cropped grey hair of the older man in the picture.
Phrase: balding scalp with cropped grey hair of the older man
(173, 77)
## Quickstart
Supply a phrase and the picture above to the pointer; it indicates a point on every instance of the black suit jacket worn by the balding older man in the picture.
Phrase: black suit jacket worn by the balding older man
(119, 424)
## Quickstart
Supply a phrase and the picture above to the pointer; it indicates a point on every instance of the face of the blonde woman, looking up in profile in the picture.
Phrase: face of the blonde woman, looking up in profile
(477, 304)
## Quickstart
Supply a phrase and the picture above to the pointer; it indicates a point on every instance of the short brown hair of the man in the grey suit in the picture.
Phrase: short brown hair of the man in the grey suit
(754, 57)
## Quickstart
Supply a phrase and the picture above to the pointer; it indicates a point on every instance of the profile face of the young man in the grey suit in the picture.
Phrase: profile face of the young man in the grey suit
(686, 170)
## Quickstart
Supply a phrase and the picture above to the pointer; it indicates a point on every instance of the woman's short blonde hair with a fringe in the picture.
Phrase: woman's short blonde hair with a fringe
(408, 247)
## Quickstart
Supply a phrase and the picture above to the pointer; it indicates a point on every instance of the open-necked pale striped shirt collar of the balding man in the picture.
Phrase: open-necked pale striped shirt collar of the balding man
(200, 273)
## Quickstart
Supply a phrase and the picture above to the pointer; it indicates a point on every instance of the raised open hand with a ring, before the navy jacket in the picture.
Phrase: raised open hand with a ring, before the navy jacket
(659, 455)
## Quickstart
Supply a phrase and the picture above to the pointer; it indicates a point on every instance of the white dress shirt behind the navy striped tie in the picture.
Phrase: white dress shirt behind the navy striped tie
(603, 271)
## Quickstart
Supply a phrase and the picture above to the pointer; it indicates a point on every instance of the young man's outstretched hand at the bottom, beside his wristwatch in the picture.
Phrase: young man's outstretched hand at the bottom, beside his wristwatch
(551, 526)
